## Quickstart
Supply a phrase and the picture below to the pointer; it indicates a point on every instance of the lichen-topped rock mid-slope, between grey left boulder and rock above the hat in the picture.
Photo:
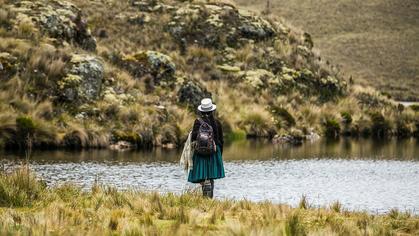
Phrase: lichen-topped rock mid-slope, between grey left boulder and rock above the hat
(156, 64)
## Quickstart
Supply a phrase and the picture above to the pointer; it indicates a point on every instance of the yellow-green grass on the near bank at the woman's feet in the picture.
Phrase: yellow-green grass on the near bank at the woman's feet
(27, 206)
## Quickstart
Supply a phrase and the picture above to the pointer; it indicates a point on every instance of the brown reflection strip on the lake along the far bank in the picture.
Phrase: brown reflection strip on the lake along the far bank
(344, 148)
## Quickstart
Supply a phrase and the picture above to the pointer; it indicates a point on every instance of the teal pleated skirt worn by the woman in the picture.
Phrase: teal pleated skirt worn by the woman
(206, 167)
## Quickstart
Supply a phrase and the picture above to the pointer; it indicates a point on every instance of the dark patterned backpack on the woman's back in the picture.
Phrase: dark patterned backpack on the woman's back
(205, 144)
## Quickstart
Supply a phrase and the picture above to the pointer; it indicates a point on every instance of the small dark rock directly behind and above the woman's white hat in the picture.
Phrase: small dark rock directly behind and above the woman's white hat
(191, 93)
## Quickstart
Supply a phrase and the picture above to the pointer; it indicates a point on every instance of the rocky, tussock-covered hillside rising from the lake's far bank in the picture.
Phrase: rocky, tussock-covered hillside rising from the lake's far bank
(91, 74)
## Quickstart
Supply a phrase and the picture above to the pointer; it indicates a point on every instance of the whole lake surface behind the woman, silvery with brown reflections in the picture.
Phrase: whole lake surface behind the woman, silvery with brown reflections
(361, 174)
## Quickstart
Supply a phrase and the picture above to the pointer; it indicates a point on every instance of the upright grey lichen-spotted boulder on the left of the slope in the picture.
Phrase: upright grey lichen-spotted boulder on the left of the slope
(84, 79)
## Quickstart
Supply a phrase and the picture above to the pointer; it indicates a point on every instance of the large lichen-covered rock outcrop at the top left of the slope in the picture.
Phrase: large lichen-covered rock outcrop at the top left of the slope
(59, 19)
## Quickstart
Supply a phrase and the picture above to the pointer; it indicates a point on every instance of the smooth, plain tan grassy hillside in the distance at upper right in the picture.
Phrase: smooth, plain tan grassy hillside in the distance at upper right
(374, 41)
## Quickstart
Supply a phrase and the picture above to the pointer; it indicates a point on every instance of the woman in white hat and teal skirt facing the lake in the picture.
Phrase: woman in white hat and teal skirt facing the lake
(207, 167)
